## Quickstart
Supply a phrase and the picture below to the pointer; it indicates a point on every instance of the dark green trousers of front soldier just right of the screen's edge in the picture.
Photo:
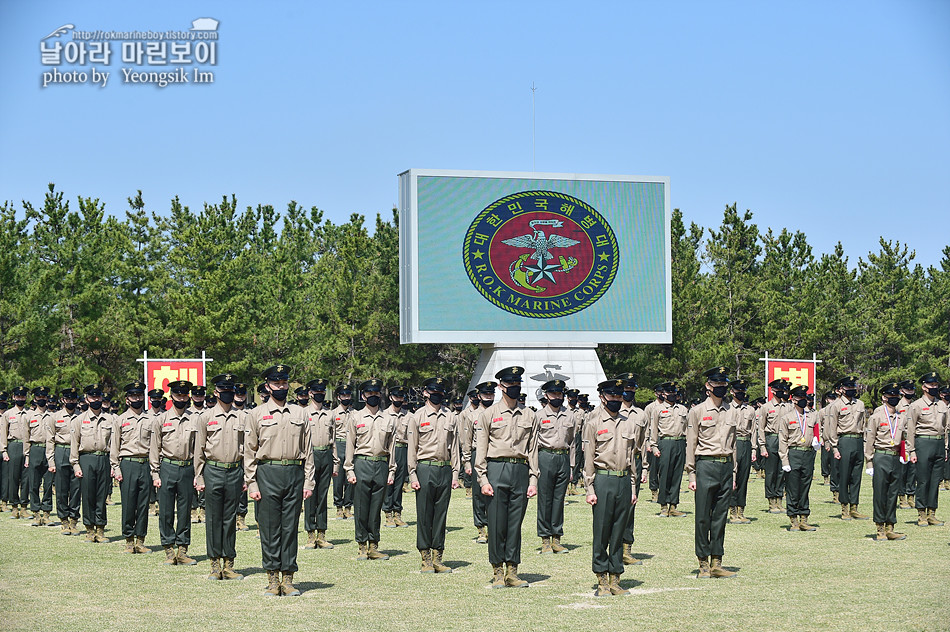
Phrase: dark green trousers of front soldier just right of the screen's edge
(713, 493)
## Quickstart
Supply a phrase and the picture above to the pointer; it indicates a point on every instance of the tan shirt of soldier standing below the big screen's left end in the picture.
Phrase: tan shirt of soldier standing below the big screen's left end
(432, 436)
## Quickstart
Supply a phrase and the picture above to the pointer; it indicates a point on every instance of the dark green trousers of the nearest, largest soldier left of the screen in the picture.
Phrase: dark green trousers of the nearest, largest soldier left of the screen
(278, 514)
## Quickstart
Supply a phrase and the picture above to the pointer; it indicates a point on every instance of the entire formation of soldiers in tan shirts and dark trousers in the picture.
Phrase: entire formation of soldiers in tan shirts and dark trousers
(285, 452)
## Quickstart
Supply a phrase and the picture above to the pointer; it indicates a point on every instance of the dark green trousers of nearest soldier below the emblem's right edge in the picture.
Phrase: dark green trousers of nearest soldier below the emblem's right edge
(611, 517)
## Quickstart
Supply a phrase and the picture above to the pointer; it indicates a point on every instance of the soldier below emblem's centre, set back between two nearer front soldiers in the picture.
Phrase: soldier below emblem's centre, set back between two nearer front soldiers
(555, 459)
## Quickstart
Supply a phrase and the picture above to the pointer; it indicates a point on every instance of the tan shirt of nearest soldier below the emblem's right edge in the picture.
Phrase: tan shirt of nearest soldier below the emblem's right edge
(609, 444)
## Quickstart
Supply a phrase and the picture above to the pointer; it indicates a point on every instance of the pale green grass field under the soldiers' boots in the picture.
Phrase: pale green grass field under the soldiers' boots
(832, 579)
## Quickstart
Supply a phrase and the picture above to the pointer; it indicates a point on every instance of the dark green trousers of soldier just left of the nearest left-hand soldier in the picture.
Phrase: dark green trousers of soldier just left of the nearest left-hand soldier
(222, 494)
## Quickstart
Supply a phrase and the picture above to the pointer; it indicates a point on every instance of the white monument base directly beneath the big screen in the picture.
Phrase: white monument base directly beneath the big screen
(578, 365)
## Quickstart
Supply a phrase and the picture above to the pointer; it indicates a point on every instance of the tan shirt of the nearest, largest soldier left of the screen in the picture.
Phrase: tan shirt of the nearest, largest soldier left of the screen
(275, 432)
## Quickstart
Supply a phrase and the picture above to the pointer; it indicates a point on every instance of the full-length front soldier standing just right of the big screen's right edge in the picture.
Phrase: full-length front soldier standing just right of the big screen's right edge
(711, 465)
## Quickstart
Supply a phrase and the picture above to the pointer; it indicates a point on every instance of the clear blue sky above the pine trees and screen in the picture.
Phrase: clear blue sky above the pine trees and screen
(827, 117)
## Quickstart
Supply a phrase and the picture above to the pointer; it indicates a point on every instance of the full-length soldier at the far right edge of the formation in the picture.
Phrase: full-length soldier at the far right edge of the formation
(926, 439)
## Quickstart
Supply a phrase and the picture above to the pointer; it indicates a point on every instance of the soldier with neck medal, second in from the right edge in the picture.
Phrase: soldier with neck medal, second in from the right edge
(886, 429)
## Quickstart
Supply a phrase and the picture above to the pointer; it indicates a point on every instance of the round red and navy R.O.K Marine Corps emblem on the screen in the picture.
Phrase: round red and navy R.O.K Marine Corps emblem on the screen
(540, 254)
